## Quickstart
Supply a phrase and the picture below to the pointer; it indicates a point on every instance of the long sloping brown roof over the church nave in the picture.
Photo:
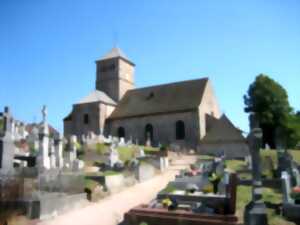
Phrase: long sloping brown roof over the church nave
(167, 98)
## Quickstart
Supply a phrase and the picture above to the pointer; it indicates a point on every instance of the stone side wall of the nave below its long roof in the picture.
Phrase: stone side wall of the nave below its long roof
(164, 128)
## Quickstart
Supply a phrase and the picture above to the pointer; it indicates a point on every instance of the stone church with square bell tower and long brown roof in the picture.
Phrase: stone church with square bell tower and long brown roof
(176, 113)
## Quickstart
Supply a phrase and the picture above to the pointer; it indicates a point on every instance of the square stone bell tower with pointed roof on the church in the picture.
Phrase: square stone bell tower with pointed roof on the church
(115, 74)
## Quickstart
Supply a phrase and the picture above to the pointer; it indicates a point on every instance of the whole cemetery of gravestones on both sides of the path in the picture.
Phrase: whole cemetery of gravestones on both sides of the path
(57, 175)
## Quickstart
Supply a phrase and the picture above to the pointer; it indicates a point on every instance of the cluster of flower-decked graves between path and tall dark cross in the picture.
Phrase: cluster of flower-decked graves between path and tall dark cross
(206, 194)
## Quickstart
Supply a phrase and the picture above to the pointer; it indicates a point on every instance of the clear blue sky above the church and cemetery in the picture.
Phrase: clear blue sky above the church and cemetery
(48, 48)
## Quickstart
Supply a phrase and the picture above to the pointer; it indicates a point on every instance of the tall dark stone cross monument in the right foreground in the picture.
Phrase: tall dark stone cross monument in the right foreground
(255, 212)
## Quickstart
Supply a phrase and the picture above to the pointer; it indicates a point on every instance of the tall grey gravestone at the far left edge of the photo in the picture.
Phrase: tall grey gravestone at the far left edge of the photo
(7, 148)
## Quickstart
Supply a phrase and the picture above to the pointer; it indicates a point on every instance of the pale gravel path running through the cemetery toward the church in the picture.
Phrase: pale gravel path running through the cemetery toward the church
(110, 210)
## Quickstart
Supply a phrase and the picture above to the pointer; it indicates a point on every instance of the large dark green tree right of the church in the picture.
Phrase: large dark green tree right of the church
(269, 101)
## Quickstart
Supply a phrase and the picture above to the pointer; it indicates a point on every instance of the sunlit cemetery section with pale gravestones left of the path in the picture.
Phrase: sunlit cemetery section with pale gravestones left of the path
(54, 174)
